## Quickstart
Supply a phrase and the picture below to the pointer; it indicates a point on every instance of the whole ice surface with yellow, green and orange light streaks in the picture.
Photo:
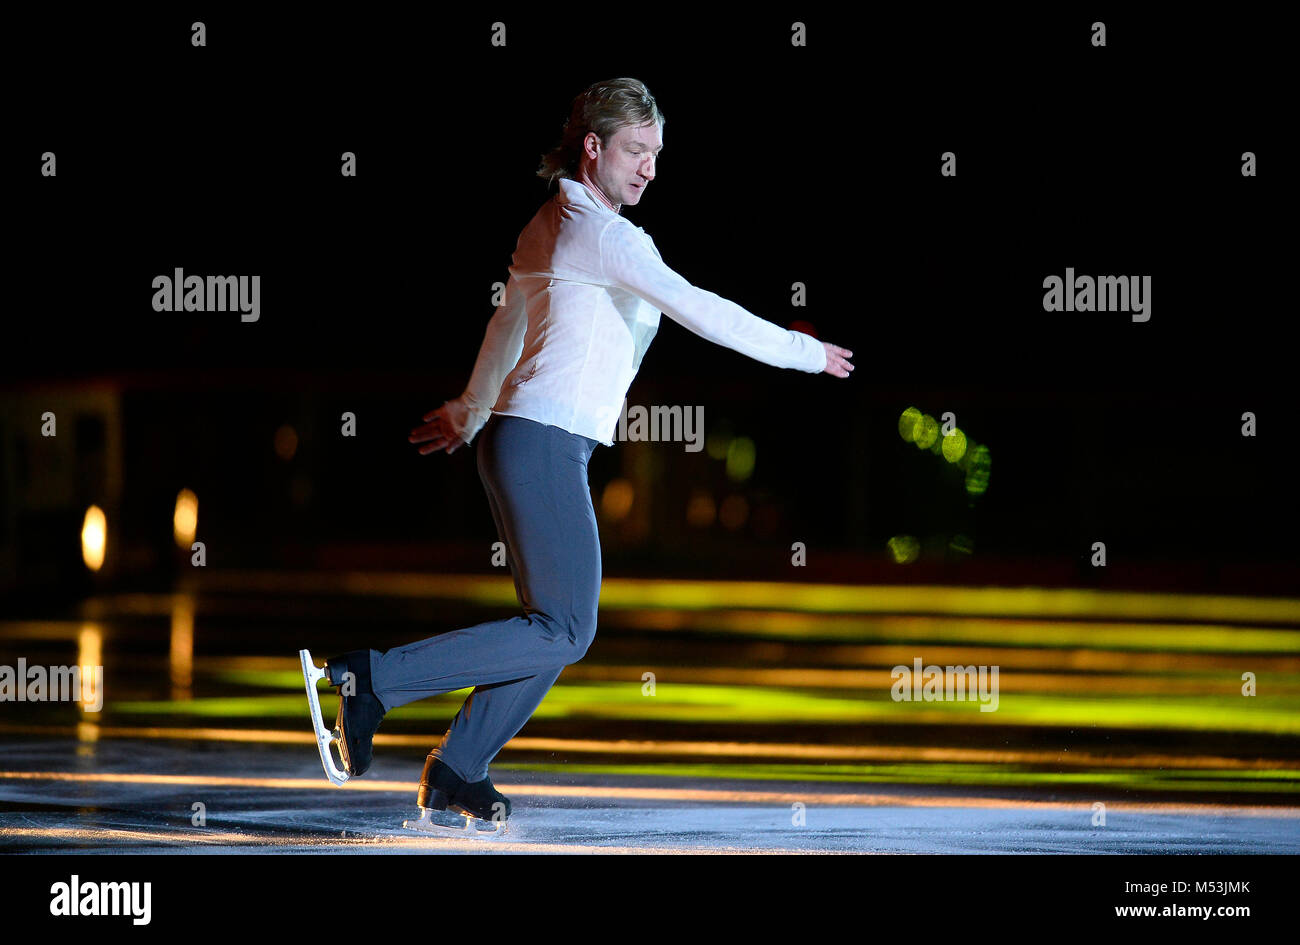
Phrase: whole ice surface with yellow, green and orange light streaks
(755, 725)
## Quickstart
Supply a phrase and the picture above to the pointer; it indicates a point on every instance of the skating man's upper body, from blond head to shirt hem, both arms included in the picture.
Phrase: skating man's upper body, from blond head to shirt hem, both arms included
(588, 280)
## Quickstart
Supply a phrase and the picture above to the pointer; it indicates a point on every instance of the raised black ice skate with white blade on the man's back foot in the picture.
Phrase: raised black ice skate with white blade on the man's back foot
(359, 713)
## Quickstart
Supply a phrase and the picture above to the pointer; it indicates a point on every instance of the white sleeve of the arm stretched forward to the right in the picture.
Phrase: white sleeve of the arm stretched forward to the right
(629, 262)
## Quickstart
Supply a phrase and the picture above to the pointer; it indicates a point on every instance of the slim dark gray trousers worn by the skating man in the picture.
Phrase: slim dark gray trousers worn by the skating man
(535, 476)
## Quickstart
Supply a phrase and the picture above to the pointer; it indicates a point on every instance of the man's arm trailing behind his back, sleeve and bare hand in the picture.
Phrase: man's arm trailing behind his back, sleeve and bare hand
(460, 421)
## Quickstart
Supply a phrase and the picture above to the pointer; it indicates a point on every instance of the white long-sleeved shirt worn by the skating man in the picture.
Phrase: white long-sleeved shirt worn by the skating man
(582, 307)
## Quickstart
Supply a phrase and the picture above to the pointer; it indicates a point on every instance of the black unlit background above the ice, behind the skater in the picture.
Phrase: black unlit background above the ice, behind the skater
(782, 164)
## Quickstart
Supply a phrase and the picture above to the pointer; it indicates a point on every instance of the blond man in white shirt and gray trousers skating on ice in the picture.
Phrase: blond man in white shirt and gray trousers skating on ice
(582, 306)
